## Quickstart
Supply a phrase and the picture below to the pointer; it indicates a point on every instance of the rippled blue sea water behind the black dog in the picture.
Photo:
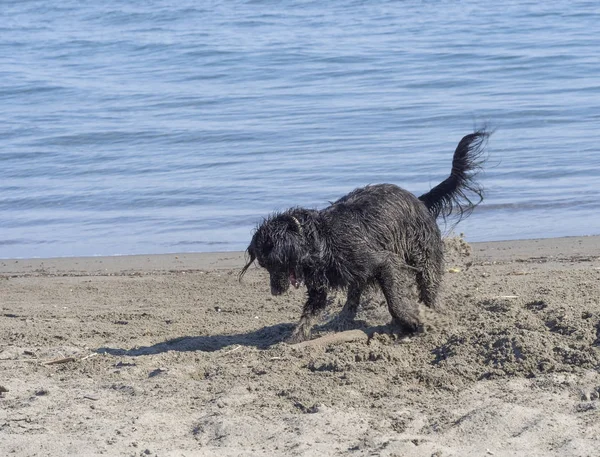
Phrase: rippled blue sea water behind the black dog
(140, 127)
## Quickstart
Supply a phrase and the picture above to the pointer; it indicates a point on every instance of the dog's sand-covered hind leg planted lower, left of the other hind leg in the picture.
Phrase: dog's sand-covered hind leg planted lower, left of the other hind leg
(396, 284)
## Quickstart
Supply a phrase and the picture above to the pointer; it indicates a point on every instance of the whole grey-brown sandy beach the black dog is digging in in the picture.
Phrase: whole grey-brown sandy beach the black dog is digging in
(172, 356)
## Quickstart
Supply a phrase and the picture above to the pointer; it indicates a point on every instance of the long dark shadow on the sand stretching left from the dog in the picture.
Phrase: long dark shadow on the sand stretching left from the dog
(262, 339)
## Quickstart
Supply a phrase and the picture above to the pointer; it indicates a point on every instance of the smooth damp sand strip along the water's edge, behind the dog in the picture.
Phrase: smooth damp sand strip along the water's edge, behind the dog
(497, 250)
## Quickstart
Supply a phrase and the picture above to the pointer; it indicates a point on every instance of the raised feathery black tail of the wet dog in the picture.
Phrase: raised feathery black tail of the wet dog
(457, 193)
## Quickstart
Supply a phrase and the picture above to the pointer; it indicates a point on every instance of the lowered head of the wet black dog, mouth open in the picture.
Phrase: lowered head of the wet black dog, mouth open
(280, 246)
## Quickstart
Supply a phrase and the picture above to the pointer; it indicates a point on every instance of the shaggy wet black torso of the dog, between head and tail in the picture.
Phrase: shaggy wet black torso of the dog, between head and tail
(372, 222)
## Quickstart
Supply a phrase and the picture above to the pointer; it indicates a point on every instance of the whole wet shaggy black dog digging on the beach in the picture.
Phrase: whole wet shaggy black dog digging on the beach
(376, 235)
